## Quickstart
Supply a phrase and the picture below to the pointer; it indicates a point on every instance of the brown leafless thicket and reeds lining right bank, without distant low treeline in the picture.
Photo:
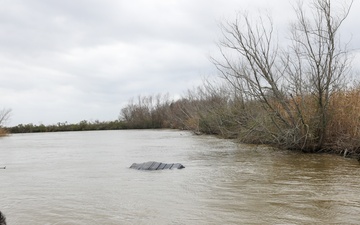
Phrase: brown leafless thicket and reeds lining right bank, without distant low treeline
(216, 109)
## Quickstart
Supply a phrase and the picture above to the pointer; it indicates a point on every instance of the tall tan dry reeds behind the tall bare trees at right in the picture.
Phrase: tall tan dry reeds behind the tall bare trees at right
(343, 124)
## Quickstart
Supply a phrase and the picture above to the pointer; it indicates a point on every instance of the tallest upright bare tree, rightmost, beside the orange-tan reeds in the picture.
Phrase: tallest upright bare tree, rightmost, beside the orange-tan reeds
(321, 61)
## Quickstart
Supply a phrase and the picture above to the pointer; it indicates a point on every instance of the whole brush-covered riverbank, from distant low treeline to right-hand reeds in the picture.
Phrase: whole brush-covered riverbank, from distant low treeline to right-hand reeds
(218, 112)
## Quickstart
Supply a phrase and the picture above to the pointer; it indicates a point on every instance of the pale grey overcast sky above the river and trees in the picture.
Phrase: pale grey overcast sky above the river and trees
(73, 60)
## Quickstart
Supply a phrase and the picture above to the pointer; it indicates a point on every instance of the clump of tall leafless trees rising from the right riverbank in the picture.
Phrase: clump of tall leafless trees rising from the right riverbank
(284, 80)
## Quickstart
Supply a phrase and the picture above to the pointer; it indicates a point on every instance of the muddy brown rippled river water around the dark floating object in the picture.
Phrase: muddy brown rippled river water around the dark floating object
(83, 178)
